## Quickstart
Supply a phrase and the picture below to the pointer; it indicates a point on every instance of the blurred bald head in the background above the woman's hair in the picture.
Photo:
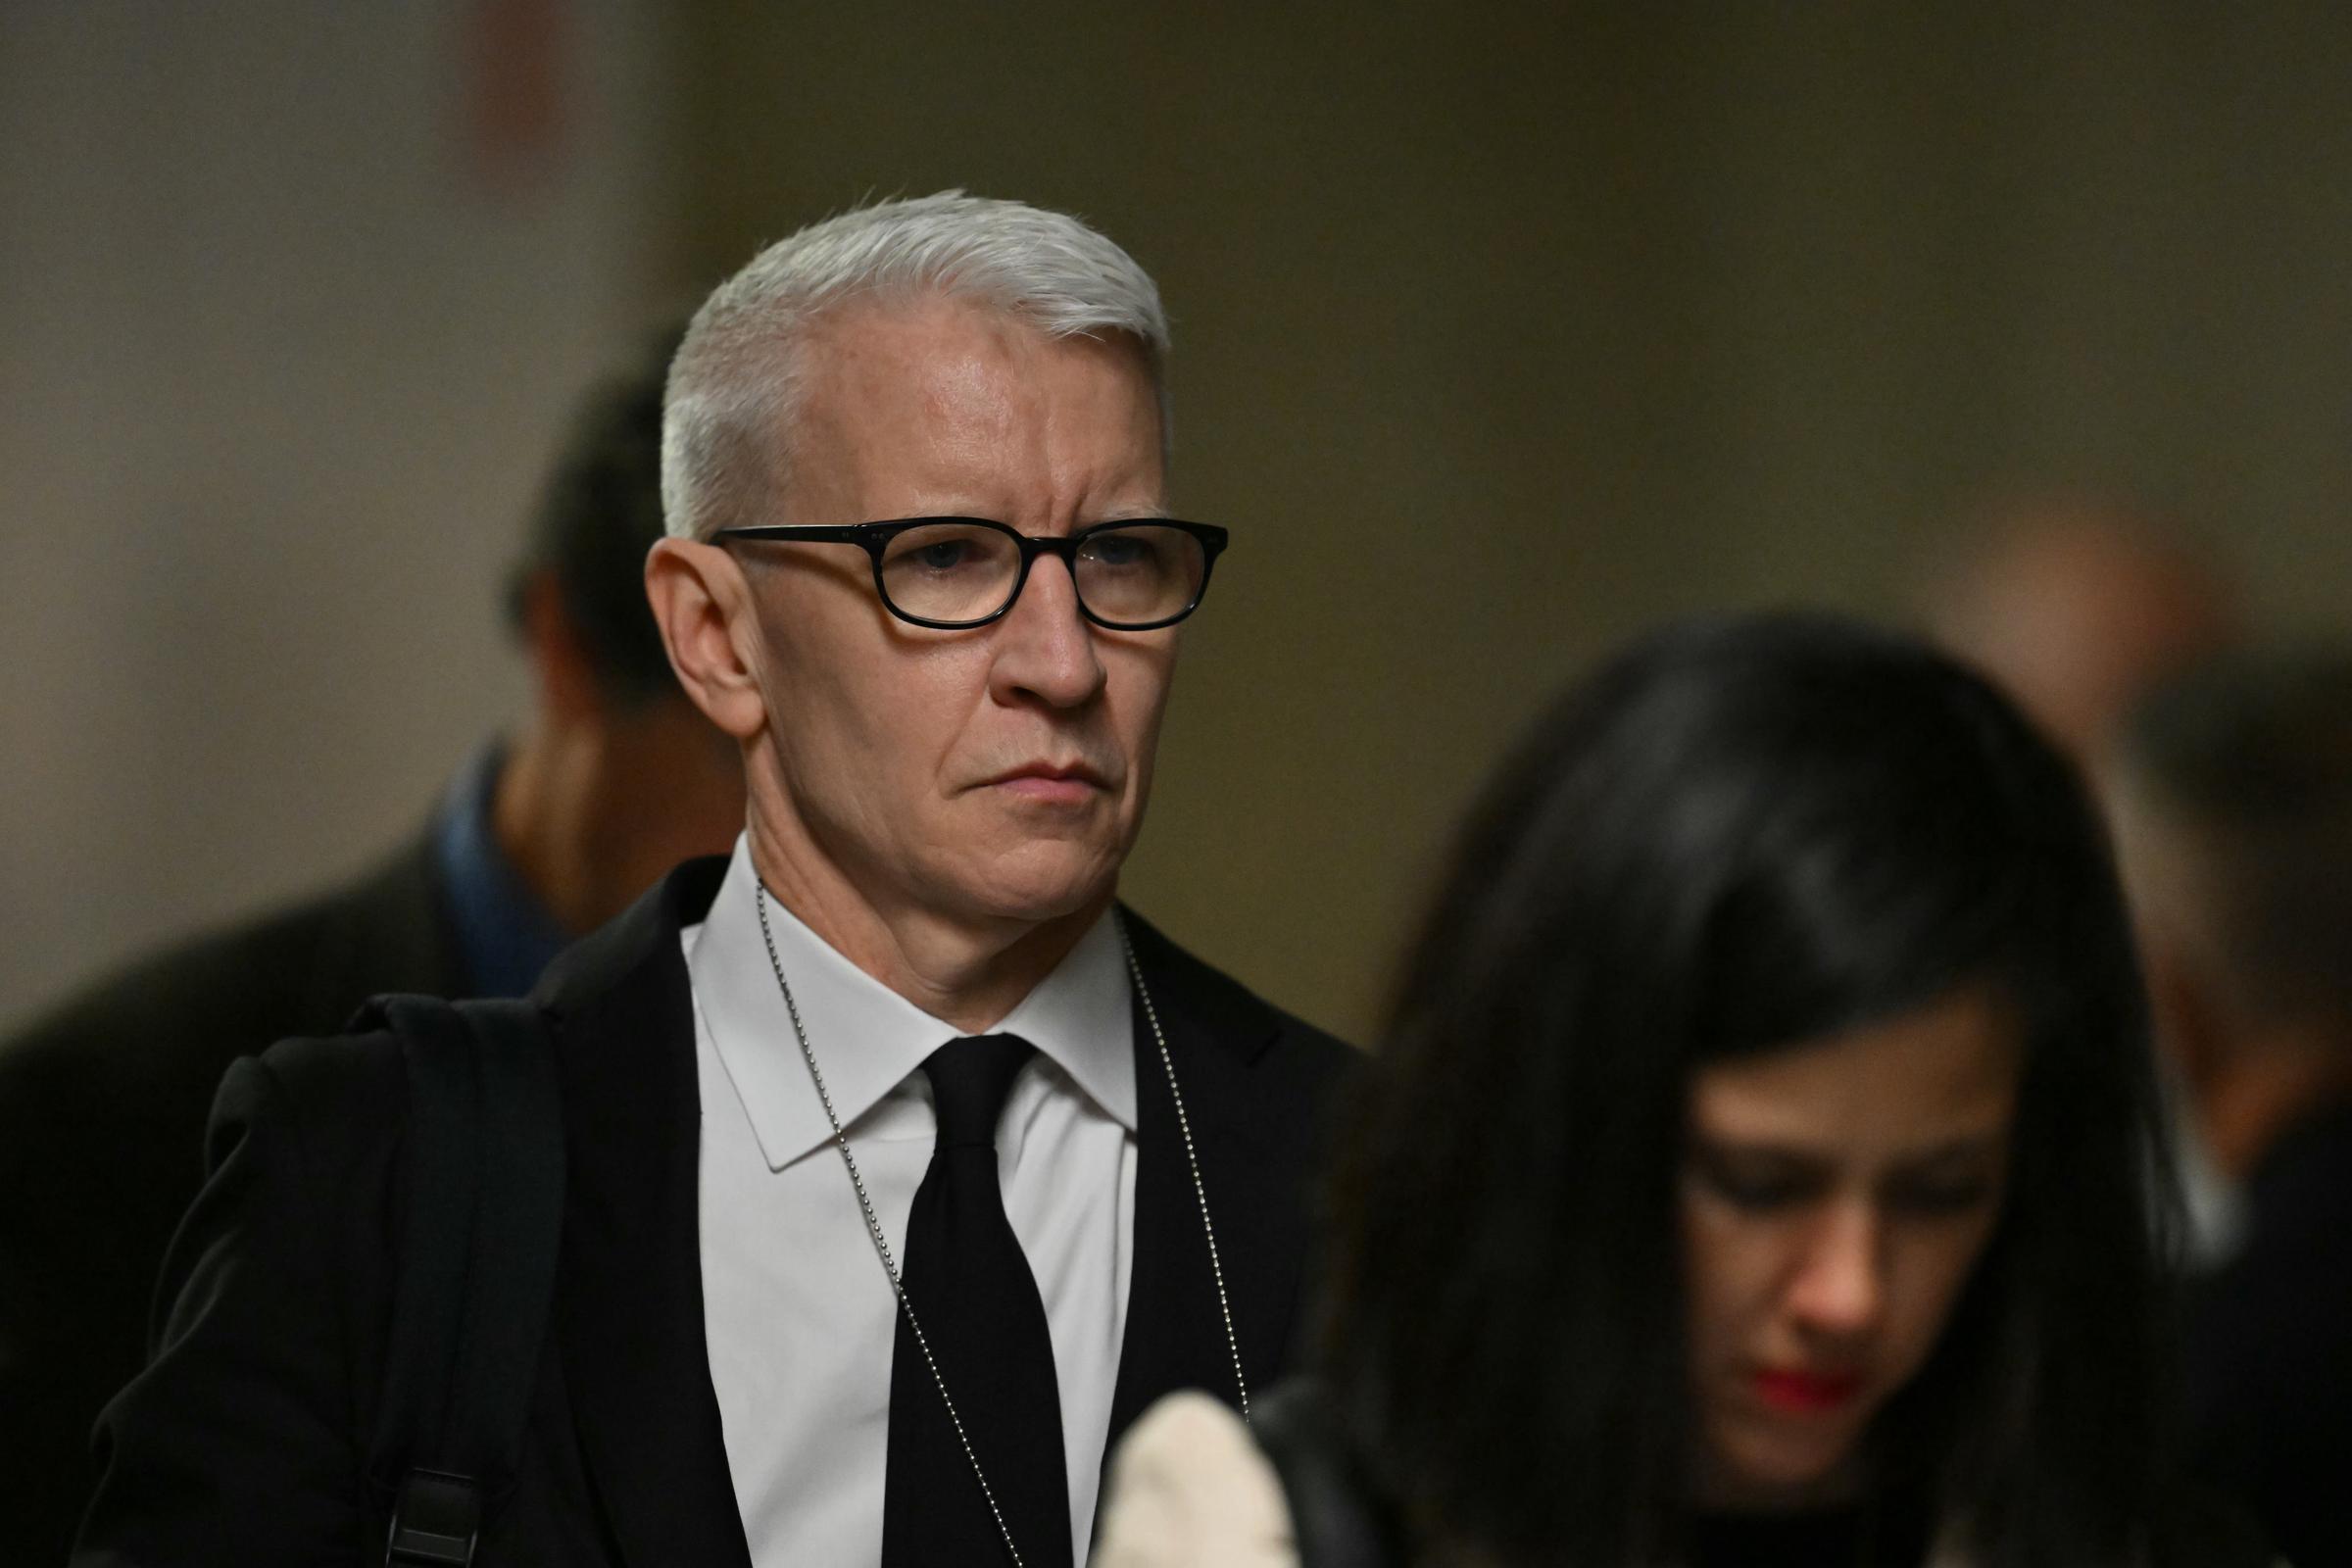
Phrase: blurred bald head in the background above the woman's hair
(2076, 608)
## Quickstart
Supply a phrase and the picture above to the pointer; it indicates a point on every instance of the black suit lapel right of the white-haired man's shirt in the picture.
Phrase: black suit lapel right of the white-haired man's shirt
(1175, 1322)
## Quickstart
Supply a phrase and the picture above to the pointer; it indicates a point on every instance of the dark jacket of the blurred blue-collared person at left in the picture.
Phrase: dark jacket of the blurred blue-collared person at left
(102, 1123)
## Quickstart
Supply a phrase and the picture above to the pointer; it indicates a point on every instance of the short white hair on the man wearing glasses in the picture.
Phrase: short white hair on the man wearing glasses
(737, 380)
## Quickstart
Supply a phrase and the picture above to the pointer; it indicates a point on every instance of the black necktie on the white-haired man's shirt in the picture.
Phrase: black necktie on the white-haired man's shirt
(984, 1320)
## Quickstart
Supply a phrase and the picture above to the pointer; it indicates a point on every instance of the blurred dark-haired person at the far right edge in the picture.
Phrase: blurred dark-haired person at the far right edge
(2233, 808)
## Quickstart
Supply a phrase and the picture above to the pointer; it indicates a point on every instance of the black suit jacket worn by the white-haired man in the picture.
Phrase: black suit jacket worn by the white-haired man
(246, 1440)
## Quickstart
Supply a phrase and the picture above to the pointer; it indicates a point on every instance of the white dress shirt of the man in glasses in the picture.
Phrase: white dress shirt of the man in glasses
(796, 1306)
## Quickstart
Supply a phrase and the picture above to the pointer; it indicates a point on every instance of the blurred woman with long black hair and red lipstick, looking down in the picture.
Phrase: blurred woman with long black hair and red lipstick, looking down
(1756, 1172)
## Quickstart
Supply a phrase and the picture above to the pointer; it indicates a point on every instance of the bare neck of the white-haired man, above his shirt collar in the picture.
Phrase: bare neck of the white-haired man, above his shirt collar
(968, 972)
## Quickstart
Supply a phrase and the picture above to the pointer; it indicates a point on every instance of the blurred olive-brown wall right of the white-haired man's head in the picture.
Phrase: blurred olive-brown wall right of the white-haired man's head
(1506, 330)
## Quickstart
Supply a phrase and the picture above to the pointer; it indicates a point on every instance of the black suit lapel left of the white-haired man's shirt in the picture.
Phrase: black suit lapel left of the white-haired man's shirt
(629, 1299)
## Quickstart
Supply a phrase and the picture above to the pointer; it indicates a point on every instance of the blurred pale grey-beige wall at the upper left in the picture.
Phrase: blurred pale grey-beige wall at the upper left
(283, 351)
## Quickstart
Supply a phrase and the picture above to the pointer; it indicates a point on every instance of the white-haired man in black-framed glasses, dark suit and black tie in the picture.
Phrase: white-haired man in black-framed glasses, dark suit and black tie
(904, 1165)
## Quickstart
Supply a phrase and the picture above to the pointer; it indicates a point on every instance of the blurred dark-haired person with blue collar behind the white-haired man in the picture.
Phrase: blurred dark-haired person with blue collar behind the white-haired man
(610, 782)
